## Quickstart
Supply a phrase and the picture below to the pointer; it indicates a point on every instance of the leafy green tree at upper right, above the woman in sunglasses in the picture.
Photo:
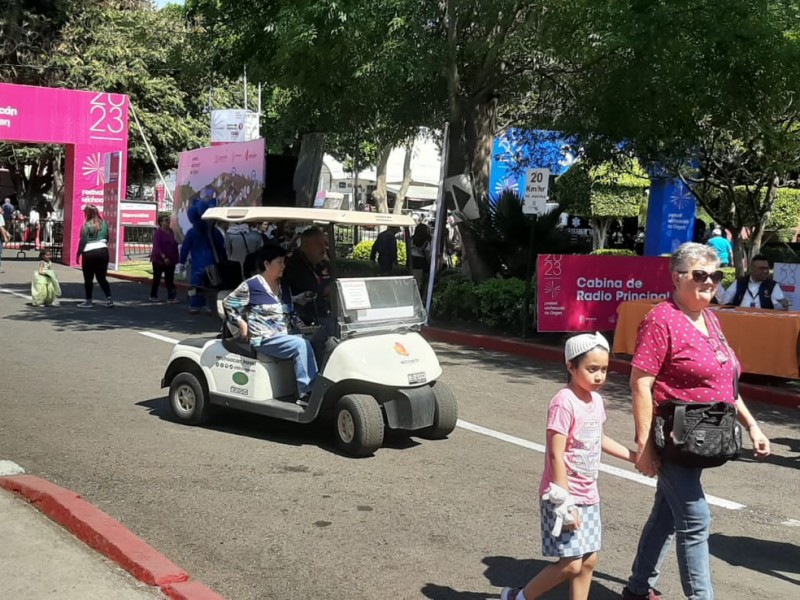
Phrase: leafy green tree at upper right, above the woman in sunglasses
(705, 90)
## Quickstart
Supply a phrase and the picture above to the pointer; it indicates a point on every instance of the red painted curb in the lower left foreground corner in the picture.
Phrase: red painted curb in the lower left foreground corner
(107, 536)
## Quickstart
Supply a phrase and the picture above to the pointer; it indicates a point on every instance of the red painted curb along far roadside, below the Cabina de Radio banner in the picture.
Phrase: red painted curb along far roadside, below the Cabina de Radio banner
(751, 392)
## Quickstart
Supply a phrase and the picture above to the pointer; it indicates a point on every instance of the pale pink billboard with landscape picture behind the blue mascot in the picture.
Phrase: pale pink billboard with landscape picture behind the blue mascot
(232, 173)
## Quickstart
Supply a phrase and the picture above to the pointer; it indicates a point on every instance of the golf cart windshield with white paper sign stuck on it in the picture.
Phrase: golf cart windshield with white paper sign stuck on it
(378, 304)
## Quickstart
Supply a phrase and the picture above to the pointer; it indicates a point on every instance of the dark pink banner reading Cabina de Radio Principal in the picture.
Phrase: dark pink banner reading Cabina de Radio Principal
(582, 293)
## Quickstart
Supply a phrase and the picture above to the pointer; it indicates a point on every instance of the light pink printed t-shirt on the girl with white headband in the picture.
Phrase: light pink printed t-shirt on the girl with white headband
(582, 424)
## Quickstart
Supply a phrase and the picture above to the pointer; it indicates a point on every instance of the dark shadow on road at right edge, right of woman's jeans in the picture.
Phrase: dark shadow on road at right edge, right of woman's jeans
(777, 559)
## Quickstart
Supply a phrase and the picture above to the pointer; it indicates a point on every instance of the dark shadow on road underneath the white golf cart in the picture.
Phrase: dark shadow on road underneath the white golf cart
(318, 433)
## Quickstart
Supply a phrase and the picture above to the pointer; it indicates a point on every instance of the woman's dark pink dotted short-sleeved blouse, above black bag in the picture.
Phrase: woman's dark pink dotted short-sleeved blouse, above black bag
(688, 366)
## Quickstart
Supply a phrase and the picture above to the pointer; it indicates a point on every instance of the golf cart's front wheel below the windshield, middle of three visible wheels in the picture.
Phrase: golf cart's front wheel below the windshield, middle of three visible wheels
(358, 424)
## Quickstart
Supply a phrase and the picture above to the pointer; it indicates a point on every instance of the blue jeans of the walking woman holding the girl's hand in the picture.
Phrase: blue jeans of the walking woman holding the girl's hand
(680, 511)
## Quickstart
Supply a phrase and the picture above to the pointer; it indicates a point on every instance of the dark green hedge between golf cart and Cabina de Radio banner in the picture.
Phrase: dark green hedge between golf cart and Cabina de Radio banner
(495, 303)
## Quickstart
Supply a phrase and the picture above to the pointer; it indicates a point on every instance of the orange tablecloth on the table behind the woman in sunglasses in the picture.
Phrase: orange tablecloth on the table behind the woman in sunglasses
(765, 341)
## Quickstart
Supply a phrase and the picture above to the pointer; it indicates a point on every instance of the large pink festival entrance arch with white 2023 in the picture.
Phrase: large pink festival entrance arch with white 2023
(91, 125)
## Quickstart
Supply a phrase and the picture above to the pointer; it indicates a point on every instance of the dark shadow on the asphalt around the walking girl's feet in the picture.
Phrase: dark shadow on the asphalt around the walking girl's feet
(504, 571)
